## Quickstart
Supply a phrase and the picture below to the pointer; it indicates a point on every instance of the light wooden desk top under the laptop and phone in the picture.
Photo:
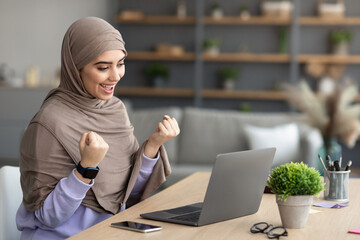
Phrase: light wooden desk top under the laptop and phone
(328, 224)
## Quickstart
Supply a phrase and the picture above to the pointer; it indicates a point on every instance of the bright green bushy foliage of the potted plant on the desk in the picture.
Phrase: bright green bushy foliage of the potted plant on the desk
(295, 179)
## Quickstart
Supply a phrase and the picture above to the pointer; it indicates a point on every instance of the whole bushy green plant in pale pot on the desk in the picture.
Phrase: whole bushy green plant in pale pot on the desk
(295, 184)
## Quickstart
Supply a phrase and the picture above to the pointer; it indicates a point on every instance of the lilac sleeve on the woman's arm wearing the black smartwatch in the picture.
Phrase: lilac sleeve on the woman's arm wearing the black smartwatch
(63, 201)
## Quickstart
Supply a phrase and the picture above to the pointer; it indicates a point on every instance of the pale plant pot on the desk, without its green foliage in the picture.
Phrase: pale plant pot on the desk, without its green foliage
(295, 211)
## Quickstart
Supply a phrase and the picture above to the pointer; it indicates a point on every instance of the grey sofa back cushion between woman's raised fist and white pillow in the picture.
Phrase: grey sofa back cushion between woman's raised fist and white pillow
(206, 133)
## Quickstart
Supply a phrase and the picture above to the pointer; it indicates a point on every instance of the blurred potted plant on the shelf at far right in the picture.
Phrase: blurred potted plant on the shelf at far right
(340, 40)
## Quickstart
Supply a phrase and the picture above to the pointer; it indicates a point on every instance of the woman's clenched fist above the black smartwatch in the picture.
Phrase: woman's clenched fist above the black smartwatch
(93, 149)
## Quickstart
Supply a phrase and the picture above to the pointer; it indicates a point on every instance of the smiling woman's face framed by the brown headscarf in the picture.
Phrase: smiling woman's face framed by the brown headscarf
(102, 74)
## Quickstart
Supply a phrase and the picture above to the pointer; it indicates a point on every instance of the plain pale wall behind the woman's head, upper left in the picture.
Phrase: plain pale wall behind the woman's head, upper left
(31, 31)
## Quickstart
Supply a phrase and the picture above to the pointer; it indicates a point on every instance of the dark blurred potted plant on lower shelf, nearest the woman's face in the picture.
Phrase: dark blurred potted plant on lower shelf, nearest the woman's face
(158, 73)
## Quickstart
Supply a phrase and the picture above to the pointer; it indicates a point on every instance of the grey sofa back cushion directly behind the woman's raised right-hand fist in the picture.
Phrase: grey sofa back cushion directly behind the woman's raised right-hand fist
(145, 121)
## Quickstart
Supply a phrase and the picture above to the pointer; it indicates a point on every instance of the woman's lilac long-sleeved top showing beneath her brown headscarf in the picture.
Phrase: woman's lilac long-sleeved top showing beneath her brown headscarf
(62, 214)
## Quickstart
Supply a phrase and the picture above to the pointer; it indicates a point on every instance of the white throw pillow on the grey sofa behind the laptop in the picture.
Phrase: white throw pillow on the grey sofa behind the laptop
(284, 137)
